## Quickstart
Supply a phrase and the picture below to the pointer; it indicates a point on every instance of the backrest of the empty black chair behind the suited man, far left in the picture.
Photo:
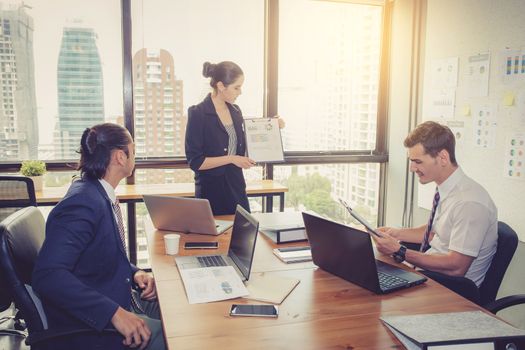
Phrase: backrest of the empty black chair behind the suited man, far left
(15, 192)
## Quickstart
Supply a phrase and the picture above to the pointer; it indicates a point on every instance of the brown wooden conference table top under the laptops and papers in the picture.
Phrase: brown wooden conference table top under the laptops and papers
(322, 312)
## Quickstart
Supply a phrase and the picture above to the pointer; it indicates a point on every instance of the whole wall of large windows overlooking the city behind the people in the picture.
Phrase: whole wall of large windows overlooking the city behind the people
(61, 71)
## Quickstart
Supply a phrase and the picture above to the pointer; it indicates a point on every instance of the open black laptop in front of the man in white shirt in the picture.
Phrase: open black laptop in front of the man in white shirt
(348, 253)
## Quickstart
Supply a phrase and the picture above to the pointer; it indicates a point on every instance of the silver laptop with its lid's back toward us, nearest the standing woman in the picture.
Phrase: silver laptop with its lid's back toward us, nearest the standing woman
(181, 214)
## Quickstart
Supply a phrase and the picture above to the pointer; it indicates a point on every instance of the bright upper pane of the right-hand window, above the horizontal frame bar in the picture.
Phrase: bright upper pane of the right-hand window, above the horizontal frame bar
(328, 74)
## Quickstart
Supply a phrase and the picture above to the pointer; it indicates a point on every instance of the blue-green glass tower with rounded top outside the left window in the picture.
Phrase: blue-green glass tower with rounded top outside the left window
(80, 88)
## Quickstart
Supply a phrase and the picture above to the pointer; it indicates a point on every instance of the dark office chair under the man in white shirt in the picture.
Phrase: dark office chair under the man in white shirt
(485, 295)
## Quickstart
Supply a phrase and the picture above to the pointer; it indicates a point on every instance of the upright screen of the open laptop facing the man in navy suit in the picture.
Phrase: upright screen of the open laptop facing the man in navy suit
(242, 244)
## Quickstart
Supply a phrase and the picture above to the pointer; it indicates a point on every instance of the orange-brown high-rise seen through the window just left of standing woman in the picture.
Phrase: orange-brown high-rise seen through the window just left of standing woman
(160, 123)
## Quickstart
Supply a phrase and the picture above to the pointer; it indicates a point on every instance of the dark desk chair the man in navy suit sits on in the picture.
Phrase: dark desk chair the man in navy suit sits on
(21, 237)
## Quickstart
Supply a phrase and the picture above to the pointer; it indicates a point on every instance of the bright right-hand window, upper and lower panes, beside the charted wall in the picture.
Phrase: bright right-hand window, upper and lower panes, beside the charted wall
(328, 93)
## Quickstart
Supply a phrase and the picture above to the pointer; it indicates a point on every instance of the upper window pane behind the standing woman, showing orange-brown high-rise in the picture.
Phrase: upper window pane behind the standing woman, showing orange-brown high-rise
(171, 41)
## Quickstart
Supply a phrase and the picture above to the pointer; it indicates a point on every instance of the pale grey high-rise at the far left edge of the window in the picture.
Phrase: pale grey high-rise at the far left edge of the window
(18, 117)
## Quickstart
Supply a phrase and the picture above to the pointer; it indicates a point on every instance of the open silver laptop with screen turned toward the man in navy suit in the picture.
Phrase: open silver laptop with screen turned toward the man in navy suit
(240, 253)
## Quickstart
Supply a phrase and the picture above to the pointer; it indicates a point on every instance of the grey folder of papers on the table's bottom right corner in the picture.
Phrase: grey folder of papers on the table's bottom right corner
(457, 330)
